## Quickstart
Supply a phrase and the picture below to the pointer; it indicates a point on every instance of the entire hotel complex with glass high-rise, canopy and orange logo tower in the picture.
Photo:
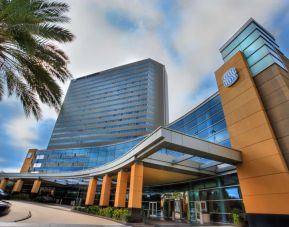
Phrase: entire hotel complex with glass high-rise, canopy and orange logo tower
(228, 155)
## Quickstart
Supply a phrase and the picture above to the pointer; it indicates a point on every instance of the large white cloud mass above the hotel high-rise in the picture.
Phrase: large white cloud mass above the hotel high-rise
(204, 27)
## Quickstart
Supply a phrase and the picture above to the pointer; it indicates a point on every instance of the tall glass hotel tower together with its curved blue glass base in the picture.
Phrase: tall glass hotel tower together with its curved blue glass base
(104, 114)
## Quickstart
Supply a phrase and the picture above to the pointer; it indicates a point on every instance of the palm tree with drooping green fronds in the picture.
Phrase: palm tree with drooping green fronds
(31, 65)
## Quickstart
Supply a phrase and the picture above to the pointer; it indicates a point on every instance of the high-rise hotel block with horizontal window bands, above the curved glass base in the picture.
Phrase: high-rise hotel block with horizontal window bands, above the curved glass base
(112, 106)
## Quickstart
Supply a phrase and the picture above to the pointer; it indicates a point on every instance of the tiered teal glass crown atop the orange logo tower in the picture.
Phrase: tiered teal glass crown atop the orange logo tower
(258, 46)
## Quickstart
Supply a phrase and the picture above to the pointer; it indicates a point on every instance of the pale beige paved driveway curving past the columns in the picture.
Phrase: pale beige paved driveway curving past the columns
(50, 216)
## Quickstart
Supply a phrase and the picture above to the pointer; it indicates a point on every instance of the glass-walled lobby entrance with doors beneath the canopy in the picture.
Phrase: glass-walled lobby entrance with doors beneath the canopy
(211, 200)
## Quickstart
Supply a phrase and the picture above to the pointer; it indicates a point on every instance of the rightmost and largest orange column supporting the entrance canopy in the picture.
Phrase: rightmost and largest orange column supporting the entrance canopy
(136, 184)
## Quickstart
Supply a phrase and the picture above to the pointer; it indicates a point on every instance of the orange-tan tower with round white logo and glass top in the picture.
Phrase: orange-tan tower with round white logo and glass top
(256, 112)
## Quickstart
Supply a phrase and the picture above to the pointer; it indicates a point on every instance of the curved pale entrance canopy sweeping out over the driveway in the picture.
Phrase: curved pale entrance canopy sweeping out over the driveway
(192, 156)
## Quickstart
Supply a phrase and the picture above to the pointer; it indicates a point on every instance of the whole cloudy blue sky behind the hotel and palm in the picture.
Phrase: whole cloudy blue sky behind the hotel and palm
(184, 35)
